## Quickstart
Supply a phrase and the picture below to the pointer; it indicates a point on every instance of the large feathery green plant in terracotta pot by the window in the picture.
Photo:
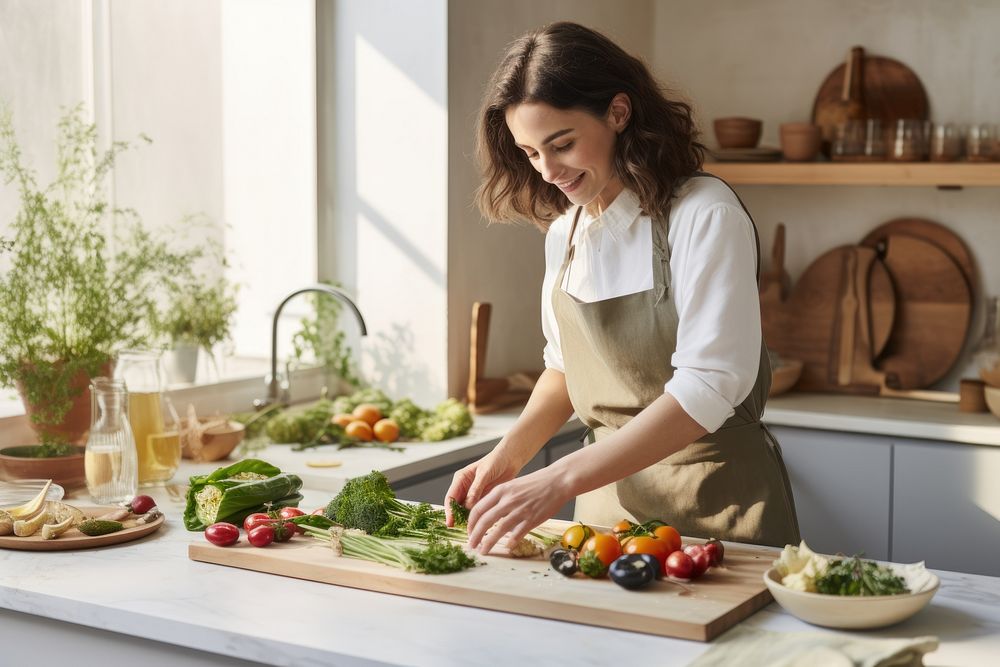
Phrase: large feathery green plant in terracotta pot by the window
(79, 278)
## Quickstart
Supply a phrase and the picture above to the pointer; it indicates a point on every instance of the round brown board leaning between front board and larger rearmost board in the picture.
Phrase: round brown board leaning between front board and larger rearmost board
(933, 312)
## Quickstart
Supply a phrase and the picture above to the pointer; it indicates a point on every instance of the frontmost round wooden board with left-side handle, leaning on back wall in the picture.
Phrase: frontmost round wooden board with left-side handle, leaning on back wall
(807, 325)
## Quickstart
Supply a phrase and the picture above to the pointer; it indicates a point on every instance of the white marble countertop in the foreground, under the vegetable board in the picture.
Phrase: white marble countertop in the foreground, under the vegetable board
(149, 589)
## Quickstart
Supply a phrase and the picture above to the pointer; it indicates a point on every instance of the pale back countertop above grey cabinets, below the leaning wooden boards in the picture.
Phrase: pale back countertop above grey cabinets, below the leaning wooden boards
(897, 417)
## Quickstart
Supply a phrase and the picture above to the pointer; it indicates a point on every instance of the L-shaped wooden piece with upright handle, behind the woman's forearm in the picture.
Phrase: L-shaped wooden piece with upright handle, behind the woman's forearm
(490, 394)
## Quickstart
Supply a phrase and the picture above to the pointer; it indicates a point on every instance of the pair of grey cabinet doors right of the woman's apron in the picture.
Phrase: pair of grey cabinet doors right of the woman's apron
(895, 498)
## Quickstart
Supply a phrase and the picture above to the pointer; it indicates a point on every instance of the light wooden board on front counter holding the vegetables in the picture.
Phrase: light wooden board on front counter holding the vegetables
(699, 610)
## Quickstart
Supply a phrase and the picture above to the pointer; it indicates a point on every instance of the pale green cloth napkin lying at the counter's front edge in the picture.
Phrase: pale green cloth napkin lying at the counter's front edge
(750, 647)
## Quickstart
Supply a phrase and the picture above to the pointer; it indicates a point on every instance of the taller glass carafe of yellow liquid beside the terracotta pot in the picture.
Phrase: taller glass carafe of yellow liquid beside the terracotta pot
(152, 415)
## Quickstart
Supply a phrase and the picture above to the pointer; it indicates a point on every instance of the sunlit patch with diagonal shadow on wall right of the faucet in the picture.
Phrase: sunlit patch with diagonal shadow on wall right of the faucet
(401, 217)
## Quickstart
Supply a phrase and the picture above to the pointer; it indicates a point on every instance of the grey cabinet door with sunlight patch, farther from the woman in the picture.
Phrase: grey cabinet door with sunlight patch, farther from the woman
(946, 508)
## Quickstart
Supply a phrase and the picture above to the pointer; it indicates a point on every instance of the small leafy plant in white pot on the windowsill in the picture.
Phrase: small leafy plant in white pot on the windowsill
(198, 317)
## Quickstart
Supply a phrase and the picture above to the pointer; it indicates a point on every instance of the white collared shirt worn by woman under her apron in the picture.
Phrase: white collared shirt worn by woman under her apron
(713, 258)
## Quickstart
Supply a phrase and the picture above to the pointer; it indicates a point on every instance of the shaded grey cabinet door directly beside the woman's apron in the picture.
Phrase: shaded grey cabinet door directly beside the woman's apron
(841, 484)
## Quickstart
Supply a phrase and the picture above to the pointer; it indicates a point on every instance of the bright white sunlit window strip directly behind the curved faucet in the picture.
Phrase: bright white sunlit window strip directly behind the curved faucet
(269, 153)
